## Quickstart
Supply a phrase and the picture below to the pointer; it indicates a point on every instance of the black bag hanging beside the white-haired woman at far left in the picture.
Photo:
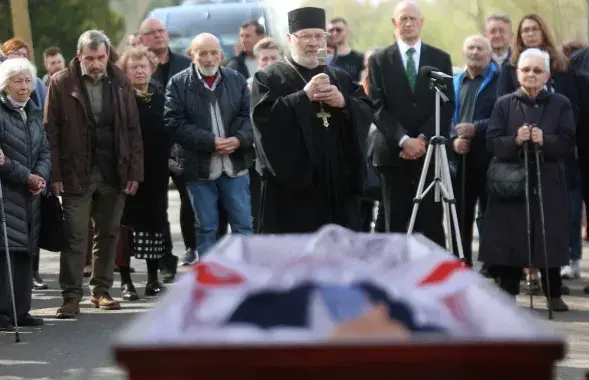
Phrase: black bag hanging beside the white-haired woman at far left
(51, 236)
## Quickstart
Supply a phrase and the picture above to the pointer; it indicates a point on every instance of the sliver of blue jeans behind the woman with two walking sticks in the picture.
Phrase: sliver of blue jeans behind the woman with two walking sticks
(576, 201)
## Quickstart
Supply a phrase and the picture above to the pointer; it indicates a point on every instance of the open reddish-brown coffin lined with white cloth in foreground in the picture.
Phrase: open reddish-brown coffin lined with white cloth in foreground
(192, 332)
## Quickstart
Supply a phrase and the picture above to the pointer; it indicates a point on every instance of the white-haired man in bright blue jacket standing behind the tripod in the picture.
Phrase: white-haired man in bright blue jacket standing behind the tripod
(476, 94)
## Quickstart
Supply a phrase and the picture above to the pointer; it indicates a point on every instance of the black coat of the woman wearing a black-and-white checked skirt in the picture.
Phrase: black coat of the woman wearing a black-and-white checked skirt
(147, 209)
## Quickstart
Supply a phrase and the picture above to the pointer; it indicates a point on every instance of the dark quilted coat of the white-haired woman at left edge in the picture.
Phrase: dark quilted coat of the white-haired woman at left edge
(26, 151)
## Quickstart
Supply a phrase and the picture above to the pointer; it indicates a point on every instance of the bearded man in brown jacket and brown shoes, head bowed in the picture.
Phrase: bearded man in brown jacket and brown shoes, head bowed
(97, 153)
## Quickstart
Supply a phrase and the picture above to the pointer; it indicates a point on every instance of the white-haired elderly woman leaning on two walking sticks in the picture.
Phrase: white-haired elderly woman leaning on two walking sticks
(531, 114)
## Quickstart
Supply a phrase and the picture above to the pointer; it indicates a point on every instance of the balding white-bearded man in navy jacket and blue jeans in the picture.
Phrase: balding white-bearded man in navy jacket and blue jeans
(207, 114)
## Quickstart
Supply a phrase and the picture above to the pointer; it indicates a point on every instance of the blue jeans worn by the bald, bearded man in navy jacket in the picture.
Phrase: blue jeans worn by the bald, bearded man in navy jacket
(234, 194)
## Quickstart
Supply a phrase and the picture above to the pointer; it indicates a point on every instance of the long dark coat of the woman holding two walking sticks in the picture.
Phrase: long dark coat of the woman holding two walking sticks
(504, 238)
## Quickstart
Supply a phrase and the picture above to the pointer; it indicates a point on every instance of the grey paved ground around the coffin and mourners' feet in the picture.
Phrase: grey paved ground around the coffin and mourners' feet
(80, 349)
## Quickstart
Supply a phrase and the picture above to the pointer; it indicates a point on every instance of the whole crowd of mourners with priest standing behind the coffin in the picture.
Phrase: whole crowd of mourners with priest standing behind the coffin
(266, 142)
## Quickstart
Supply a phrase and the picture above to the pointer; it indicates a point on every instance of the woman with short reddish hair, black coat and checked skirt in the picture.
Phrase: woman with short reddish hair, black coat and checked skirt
(146, 212)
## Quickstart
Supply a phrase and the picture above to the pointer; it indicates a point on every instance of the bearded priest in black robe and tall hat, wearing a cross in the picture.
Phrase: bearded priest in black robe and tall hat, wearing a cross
(310, 123)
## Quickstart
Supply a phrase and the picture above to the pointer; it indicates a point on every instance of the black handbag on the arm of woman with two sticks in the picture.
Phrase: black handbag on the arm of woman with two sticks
(506, 180)
